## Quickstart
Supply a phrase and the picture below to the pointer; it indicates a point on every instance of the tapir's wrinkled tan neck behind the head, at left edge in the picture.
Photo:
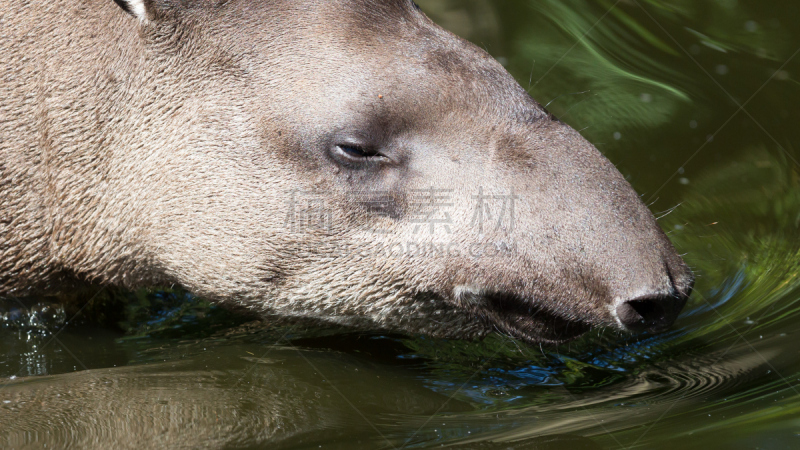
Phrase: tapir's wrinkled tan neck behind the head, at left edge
(53, 159)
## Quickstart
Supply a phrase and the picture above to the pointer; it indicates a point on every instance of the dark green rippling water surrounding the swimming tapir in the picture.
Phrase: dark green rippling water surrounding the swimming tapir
(696, 103)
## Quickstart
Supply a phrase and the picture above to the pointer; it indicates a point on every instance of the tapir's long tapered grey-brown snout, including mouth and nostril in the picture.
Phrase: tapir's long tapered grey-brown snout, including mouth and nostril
(586, 251)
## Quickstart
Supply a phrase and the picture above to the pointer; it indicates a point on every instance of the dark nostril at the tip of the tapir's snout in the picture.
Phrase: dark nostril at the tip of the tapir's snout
(654, 313)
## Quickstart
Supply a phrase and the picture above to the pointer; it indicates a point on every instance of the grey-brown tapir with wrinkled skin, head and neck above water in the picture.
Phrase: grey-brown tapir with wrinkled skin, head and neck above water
(266, 154)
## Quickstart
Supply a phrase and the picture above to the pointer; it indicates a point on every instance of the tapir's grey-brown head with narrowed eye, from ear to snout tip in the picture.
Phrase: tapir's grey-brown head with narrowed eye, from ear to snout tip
(350, 161)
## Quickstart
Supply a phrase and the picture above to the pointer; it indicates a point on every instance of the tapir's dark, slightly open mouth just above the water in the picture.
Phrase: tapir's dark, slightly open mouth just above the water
(523, 319)
